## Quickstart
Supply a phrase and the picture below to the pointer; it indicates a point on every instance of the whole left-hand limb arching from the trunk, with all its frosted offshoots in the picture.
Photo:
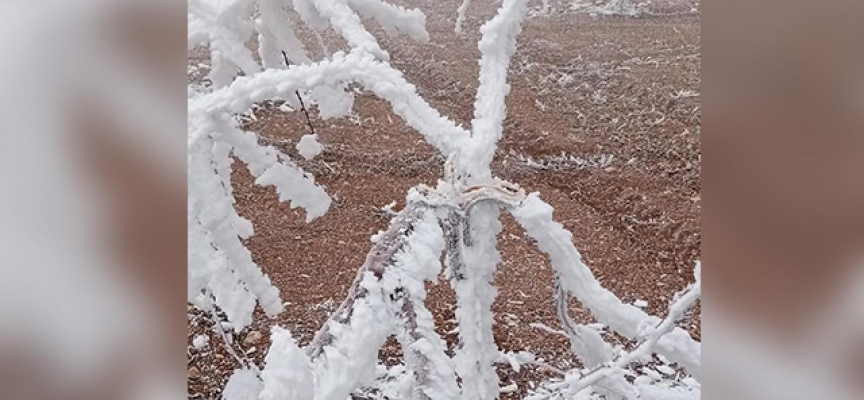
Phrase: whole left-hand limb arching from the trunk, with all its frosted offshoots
(222, 272)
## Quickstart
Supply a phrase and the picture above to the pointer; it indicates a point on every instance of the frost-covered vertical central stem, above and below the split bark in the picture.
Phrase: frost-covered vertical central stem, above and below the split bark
(476, 255)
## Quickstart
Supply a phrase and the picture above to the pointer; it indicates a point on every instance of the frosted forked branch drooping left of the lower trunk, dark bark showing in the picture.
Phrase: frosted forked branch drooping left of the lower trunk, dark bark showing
(388, 293)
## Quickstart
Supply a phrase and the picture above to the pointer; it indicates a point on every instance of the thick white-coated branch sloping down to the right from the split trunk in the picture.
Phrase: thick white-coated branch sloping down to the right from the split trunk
(535, 216)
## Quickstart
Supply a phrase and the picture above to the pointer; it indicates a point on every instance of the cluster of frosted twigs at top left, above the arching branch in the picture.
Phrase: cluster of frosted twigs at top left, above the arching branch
(227, 25)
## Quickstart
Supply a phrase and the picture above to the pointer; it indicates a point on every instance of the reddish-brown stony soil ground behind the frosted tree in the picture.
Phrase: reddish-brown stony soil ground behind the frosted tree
(618, 97)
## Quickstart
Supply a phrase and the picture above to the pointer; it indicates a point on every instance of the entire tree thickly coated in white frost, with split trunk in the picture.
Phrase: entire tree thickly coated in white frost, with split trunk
(459, 219)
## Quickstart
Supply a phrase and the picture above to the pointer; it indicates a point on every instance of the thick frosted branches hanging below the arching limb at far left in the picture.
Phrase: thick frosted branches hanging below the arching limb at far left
(219, 264)
